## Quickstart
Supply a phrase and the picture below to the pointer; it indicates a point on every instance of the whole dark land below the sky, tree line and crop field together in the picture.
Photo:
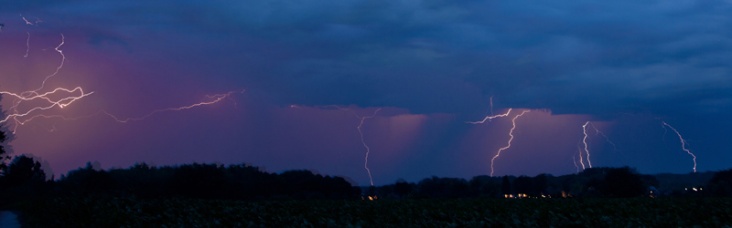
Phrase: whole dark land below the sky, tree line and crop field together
(246, 196)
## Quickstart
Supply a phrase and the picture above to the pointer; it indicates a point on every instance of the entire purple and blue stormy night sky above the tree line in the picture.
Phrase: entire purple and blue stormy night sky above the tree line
(311, 71)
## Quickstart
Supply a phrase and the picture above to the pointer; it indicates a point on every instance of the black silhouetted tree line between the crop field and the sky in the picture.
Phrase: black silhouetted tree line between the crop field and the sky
(24, 177)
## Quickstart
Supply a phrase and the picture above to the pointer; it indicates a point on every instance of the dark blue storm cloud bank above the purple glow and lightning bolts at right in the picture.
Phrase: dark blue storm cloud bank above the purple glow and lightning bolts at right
(445, 56)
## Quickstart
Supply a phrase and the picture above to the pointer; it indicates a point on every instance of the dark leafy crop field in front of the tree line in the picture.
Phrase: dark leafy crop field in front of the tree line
(476, 212)
